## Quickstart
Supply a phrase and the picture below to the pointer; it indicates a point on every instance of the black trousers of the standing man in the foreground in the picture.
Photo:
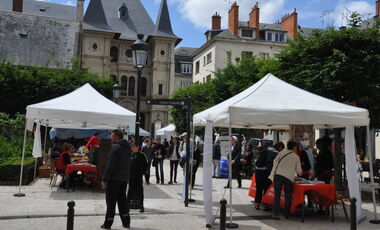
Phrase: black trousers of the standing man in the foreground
(116, 192)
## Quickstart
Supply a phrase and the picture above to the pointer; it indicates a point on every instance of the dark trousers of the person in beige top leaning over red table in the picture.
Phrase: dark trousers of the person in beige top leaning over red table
(280, 181)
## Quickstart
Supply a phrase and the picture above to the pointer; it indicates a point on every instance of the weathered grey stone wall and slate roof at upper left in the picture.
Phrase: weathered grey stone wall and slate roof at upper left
(35, 33)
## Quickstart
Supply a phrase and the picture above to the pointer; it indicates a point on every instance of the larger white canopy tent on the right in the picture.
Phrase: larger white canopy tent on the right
(274, 104)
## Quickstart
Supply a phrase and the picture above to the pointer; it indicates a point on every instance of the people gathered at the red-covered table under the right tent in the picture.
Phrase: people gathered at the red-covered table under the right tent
(280, 165)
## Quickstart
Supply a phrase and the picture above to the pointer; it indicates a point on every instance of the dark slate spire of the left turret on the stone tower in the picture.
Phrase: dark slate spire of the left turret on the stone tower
(95, 16)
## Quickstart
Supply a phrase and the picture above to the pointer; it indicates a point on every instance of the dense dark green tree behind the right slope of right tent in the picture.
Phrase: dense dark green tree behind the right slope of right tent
(343, 65)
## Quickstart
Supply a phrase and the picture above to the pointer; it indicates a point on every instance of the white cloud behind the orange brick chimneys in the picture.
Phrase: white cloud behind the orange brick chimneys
(199, 12)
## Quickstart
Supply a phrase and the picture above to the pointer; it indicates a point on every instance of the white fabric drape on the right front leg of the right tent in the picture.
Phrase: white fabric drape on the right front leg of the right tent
(351, 168)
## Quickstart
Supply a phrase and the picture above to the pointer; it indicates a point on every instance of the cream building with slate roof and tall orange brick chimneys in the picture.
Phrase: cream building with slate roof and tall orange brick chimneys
(242, 39)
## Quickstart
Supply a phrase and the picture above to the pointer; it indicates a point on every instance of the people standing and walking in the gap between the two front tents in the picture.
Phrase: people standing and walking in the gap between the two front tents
(127, 165)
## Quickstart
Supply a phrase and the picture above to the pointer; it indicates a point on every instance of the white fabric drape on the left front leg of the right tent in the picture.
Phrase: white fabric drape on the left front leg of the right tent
(207, 173)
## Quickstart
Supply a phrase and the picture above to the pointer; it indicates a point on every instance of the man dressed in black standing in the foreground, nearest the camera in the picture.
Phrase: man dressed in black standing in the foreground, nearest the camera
(115, 180)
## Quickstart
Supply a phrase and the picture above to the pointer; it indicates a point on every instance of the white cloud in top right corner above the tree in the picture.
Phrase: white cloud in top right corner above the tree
(344, 9)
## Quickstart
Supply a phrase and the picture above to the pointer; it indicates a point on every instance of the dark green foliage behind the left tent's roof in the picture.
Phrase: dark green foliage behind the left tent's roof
(21, 86)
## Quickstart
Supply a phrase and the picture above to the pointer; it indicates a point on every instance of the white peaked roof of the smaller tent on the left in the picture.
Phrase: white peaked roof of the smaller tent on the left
(83, 108)
